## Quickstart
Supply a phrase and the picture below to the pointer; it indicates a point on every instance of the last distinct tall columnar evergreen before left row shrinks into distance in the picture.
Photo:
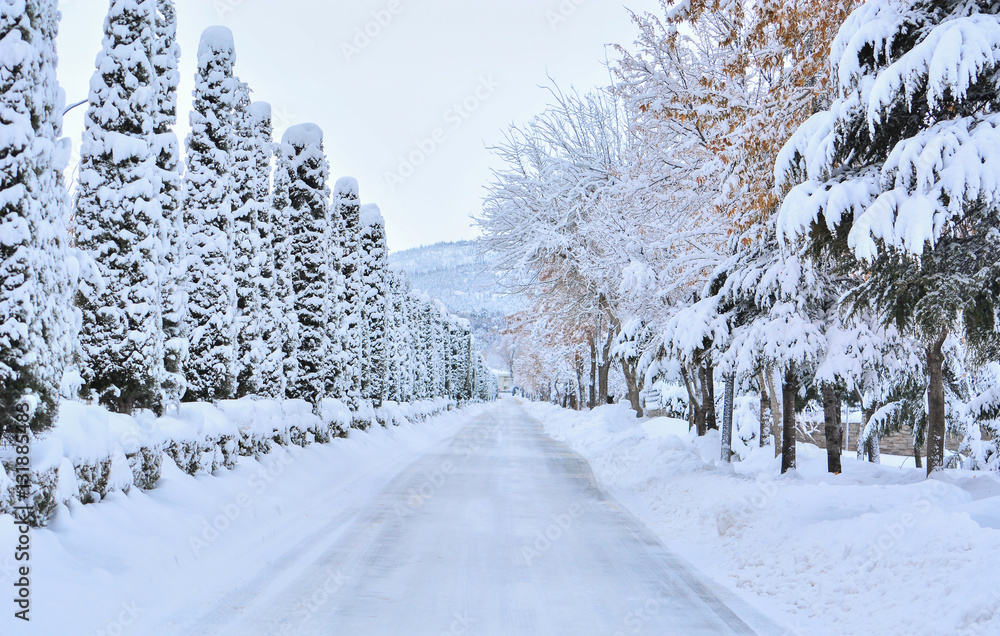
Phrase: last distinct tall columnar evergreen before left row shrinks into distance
(374, 257)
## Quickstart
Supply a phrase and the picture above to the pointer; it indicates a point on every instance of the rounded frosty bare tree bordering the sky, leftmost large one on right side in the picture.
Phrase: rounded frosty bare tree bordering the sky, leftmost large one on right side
(565, 213)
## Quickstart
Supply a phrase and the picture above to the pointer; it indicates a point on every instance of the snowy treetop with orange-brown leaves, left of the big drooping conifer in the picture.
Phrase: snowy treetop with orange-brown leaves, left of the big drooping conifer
(738, 79)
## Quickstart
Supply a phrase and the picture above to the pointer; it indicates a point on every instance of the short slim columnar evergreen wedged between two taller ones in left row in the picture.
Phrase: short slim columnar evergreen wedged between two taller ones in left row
(284, 345)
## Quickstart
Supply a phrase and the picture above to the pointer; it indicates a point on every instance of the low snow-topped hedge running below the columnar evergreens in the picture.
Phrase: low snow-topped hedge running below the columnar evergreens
(92, 452)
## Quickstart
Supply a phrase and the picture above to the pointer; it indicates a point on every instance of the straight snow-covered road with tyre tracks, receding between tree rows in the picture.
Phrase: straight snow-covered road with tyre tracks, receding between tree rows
(499, 530)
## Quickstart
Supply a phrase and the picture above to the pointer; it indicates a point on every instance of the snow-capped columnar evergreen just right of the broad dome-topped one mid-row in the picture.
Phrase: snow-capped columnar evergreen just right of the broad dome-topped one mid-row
(346, 312)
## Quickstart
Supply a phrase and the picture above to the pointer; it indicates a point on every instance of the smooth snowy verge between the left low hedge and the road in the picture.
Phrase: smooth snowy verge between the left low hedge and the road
(103, 568)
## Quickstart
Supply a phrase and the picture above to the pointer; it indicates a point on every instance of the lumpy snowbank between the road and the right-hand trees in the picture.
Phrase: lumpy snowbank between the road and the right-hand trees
(879, 549)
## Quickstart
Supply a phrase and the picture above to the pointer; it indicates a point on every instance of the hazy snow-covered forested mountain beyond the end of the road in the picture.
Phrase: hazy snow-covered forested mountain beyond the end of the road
(465, 281)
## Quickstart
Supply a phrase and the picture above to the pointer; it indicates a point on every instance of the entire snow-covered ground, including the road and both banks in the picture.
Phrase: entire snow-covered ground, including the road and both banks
(878, 549)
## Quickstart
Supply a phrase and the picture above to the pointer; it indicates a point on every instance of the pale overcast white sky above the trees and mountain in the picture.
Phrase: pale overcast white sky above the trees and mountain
(376, 102)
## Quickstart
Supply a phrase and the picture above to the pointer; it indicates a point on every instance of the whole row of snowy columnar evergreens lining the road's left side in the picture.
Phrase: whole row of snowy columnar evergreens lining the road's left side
(202, 286)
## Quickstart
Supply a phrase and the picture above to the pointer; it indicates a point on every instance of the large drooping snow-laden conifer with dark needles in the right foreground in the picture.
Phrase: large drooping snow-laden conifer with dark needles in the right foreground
(902, 173)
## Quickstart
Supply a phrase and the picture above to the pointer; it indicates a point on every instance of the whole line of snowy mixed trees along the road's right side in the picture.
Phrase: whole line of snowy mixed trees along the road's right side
(798, 198)
